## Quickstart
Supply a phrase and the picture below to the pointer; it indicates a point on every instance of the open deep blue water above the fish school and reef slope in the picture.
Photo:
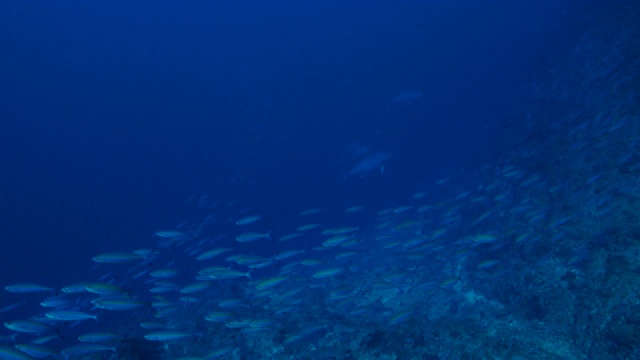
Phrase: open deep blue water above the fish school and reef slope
(114, 113)
